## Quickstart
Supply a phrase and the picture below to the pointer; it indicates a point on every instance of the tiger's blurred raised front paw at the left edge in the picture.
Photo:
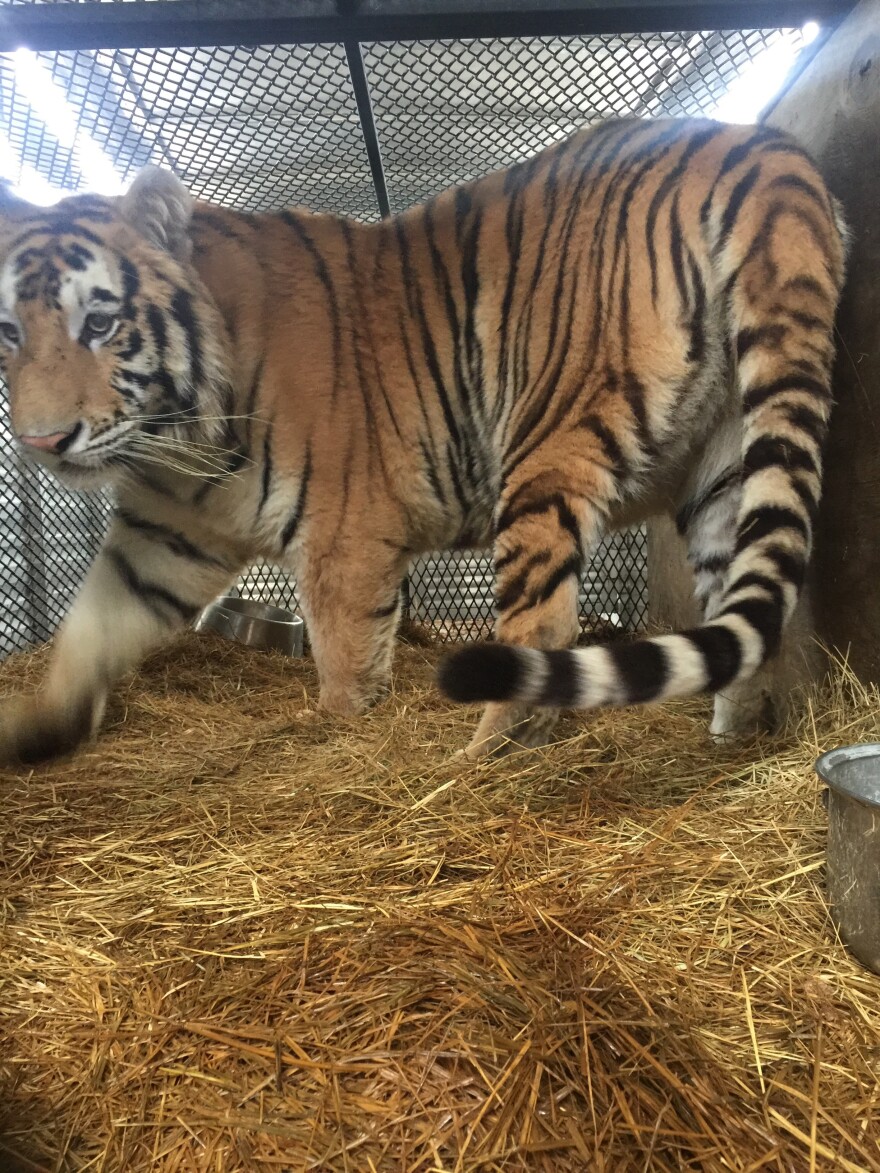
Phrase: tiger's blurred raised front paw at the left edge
(32, 730)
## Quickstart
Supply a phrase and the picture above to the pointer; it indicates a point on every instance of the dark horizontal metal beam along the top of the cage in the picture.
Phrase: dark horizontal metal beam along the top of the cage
(171, 24)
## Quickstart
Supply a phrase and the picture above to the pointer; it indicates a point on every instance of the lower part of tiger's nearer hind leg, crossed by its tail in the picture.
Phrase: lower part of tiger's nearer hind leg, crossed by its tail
(544, 528)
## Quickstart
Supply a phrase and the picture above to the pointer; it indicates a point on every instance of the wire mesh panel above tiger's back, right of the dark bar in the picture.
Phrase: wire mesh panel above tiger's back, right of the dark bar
(449, 112)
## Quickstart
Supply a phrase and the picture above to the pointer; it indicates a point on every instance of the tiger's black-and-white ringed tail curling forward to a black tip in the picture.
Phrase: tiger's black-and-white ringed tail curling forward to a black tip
(782, 290)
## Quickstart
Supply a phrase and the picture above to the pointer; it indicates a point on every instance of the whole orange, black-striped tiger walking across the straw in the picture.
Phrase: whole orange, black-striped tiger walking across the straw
(637, 321)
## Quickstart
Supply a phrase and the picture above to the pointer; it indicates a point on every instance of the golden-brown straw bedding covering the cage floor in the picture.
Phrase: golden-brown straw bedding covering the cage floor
(239, 935)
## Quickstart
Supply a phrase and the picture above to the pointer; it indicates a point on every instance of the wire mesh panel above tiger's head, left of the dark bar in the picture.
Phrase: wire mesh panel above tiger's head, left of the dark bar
(248, 128)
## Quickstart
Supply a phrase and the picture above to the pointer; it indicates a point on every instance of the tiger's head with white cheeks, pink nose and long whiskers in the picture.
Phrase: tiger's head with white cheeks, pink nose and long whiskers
(111, 347)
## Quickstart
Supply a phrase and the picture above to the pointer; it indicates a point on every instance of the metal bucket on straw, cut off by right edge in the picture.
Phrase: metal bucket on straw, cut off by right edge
(852, 776)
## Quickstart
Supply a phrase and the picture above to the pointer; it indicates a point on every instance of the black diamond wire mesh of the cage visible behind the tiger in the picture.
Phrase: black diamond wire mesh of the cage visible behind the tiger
(361, 128)
